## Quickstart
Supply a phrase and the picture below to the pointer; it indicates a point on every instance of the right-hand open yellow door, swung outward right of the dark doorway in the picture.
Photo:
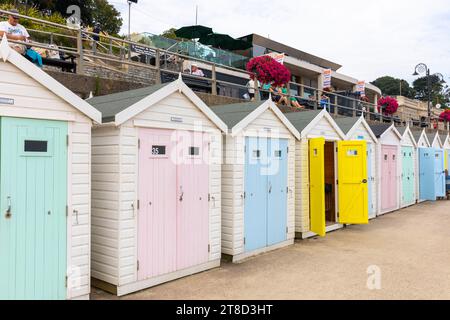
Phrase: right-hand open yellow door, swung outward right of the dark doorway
(353, 182)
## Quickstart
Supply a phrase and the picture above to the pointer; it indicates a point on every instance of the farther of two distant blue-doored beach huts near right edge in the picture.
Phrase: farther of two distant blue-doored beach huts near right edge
(439, 168)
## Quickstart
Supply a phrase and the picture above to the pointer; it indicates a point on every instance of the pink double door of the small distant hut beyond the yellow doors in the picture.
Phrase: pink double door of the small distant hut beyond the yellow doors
(389, 191)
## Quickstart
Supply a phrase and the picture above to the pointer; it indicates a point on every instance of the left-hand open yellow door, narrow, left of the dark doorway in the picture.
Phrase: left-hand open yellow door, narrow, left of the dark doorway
(317, 185)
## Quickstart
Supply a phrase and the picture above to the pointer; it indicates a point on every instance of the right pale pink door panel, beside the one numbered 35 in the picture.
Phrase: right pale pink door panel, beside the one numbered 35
(192, 193)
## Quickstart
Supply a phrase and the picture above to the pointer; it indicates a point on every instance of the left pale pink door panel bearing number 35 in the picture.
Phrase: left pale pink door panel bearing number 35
(157, 219)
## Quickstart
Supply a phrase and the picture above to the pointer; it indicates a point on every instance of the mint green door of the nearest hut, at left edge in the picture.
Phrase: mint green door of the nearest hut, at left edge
(33, 191)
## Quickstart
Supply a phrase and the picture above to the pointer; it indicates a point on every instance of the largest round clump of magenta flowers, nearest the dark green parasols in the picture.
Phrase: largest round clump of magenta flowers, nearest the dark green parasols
(268, 70)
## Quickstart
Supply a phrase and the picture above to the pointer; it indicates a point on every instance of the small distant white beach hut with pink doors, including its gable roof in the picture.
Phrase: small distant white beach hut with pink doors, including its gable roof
(389, 166)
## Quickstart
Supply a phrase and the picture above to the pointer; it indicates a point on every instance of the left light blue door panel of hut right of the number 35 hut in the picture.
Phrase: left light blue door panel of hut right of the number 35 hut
(256, 184)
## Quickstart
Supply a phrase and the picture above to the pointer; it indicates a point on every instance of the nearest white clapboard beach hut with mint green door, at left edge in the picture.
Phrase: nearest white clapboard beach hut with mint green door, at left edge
(45, 184)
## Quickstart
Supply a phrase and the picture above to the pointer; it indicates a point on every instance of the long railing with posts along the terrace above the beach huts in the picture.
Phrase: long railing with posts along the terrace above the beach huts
(124, 45)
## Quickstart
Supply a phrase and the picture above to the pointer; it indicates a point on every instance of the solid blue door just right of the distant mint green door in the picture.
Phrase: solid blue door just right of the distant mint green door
(426, 174)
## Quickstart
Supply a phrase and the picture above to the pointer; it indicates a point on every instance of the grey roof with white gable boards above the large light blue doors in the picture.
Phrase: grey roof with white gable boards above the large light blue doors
(239, 115)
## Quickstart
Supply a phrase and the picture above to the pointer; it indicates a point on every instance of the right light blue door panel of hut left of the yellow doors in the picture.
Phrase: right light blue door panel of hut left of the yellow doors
(278, 192)
